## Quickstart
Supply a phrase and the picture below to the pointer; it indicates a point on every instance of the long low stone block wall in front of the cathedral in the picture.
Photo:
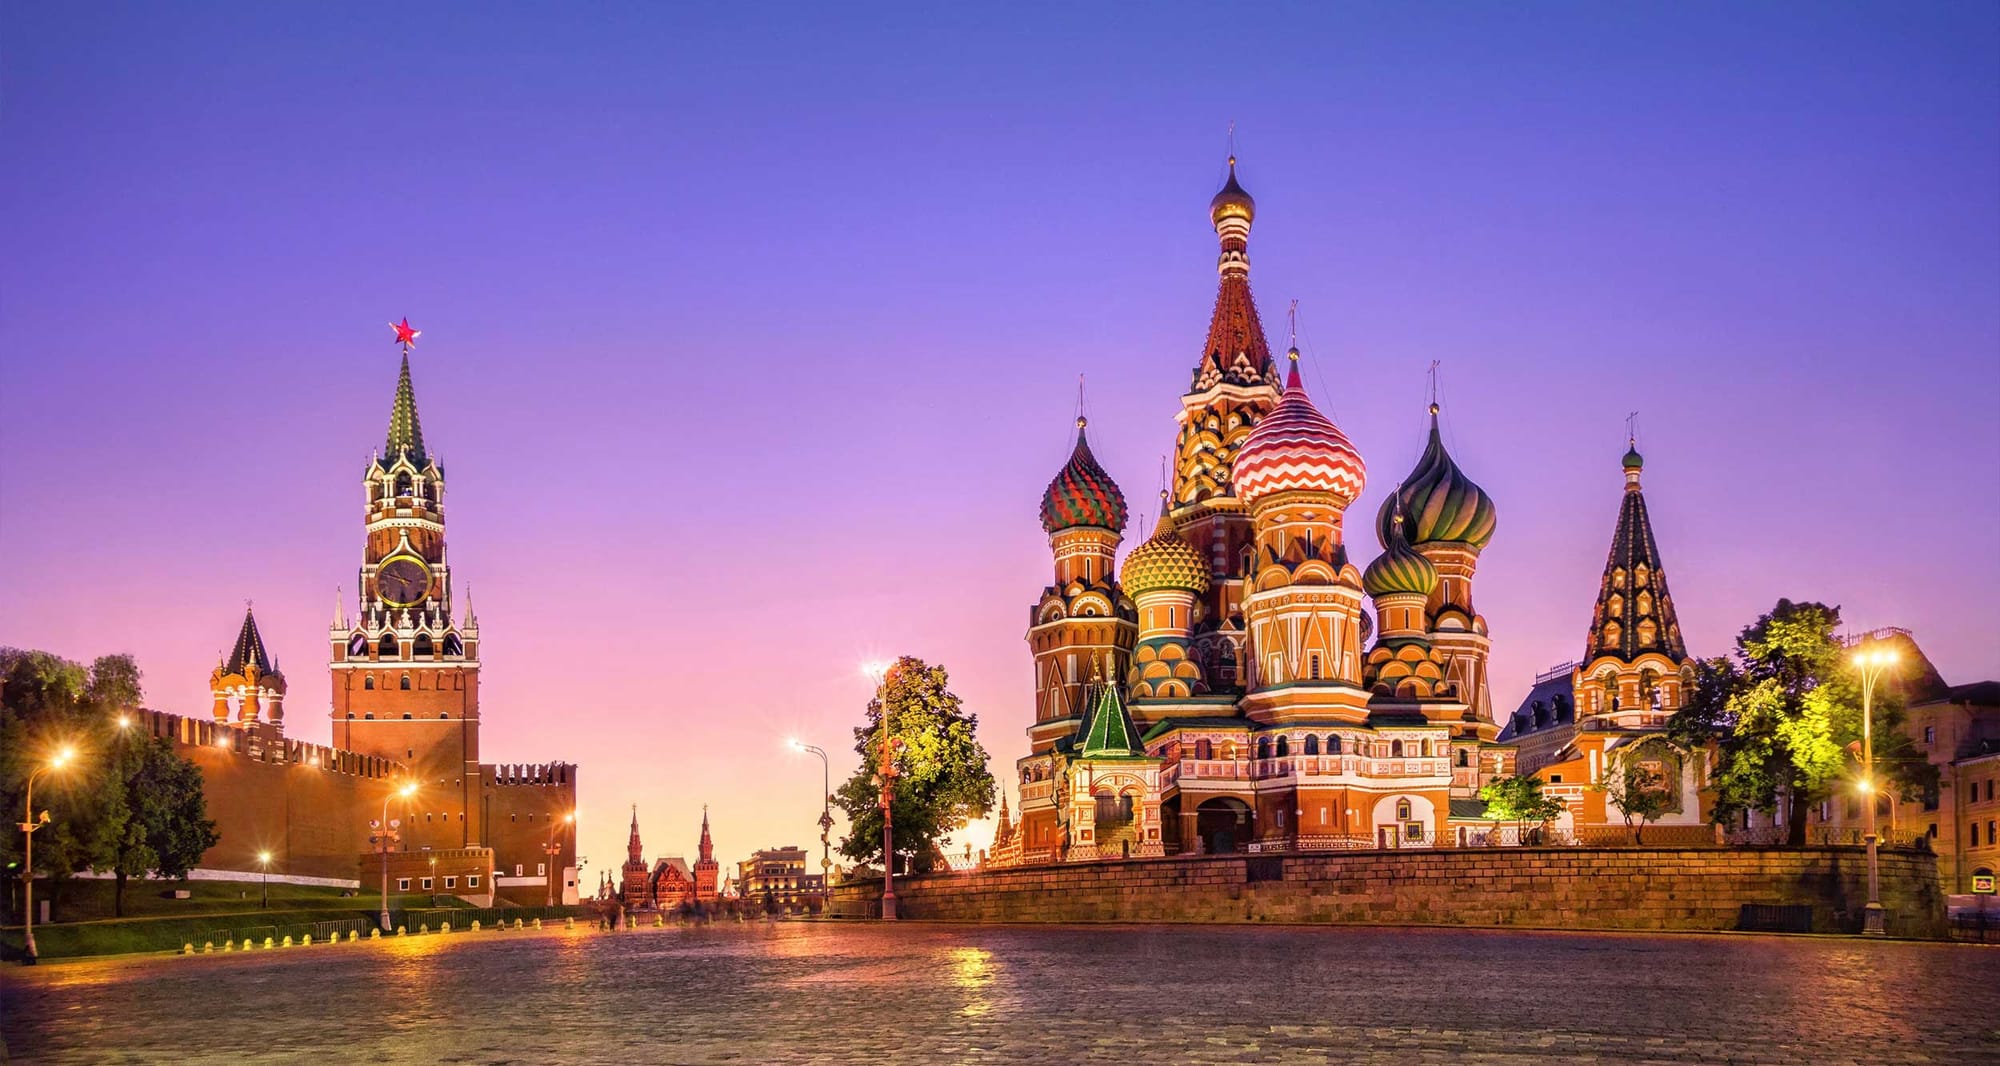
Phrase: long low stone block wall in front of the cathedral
(1593, 889)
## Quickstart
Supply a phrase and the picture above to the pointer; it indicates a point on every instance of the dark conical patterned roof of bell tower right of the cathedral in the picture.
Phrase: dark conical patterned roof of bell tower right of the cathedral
(1635, 611)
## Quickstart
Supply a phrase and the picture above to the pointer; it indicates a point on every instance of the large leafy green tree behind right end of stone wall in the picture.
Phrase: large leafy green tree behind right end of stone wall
(1783, 715)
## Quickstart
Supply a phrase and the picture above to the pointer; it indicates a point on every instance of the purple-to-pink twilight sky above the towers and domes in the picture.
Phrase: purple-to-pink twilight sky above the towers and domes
(751, 345)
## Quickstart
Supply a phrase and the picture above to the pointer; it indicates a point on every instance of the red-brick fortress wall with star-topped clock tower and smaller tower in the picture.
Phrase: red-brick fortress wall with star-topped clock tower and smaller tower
(405, 713)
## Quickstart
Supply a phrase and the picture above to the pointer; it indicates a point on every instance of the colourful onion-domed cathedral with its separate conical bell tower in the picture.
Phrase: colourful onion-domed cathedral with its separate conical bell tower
(1227, 689)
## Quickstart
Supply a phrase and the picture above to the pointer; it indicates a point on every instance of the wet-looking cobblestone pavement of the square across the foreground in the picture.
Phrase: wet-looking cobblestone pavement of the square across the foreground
(931, 993)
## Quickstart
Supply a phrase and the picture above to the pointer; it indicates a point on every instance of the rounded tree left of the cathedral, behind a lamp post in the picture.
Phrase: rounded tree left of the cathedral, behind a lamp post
(943, 779)
